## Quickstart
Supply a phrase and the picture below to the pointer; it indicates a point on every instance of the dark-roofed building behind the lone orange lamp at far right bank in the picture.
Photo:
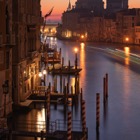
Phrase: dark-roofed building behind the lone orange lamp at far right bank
(126, 23)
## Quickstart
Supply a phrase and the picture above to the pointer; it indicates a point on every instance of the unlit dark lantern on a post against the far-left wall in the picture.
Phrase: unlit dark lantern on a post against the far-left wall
(5, 87)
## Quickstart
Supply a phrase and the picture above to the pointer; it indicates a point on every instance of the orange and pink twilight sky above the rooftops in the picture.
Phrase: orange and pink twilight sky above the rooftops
(61, 5)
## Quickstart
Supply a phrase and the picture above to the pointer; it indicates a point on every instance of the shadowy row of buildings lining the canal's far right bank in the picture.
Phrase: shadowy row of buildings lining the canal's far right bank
(118, 24)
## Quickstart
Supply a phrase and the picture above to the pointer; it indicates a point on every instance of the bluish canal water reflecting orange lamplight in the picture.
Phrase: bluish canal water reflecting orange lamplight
(119, 120)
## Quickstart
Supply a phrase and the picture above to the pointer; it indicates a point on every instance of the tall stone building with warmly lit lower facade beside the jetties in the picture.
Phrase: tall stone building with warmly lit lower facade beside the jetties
(26, 57)
